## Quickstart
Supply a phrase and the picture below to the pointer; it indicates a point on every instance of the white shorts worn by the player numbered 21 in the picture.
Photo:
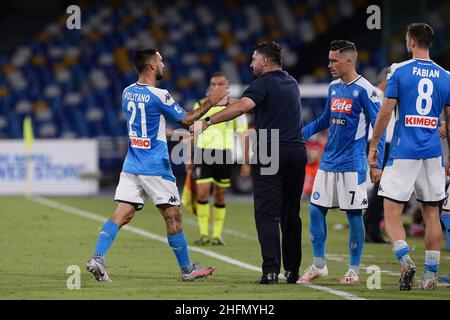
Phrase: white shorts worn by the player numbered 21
(137, 189)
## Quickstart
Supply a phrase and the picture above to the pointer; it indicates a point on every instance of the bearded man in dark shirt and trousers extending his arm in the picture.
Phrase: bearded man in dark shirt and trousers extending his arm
(274, 97)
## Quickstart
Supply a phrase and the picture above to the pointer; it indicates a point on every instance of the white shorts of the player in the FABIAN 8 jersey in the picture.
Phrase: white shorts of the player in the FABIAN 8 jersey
(426, 177)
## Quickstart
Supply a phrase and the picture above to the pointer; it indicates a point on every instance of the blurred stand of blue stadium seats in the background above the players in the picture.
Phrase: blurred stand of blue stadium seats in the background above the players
(199, 42)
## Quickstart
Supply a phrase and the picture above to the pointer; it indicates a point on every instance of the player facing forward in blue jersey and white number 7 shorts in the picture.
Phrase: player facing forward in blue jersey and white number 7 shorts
(352, 105)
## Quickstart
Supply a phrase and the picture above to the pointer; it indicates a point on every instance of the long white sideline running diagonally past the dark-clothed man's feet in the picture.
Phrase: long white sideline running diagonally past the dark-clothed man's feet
(150, 235)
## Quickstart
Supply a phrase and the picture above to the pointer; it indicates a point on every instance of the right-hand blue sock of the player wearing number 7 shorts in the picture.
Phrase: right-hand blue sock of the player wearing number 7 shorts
(356, 238)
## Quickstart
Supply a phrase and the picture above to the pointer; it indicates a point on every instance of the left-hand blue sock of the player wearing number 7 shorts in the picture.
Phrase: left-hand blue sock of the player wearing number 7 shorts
(318, 232)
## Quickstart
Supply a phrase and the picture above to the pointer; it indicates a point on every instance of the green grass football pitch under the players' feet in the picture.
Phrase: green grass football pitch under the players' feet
(38, 243)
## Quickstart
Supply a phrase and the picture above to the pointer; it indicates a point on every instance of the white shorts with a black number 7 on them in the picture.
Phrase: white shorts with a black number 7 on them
(344, 190)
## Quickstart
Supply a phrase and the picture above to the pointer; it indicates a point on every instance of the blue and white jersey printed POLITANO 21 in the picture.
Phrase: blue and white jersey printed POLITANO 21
(146, 109)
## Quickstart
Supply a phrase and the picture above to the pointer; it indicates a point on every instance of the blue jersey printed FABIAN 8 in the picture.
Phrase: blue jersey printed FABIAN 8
(422, 89)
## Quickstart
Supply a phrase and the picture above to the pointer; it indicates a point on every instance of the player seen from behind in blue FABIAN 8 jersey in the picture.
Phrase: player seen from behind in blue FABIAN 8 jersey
(418, 89)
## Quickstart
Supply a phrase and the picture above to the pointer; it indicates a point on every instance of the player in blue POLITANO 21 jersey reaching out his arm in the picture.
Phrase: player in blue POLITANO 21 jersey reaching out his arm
(146, 172)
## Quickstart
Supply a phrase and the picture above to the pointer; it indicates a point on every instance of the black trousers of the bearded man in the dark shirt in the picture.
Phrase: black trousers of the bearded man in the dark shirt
(277, 204)
